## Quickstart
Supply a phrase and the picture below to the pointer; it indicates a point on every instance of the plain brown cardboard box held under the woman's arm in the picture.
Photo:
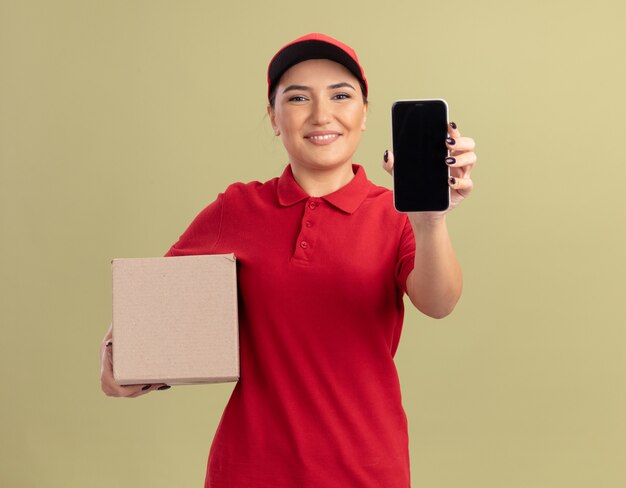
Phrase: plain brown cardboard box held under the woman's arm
(175, 320)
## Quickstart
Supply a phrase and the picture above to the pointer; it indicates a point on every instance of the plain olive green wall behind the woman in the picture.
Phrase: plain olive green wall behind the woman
(120, 120)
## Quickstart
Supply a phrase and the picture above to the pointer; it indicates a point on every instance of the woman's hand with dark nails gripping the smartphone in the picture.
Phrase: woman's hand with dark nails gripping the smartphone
(461, 161)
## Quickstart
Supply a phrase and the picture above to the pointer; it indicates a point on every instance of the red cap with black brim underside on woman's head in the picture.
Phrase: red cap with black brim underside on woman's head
(313, 46)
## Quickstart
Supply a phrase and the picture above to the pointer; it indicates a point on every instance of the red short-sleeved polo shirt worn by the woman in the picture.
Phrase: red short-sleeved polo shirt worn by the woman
(321, 280)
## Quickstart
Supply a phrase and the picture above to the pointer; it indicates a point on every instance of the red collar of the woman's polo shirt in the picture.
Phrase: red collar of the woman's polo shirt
(348, 198)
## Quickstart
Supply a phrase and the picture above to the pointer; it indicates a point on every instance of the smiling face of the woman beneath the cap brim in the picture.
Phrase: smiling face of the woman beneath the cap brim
(319, 113)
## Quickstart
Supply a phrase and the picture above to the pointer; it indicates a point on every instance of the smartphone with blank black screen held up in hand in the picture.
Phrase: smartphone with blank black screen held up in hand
(420, 174)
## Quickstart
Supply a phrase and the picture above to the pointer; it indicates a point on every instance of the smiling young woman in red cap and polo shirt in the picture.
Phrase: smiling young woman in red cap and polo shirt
(324, 260)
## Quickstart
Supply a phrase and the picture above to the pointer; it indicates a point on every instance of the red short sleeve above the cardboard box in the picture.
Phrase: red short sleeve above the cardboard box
(203, 233)
